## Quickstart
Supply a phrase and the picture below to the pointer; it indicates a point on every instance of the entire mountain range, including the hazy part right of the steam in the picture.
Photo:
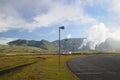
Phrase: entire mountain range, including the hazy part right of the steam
(71, 44)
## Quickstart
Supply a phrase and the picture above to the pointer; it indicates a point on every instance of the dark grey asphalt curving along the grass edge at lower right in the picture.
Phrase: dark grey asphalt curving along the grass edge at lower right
(96, 67)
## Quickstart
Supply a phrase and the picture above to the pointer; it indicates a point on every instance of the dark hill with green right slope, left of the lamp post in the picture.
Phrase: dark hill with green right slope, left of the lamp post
(43, 44)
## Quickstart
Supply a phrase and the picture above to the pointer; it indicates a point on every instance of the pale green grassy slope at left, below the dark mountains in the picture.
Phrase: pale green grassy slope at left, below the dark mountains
(7, 49)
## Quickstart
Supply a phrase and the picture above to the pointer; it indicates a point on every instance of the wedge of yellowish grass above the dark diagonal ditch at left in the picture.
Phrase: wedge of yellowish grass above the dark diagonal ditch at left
(10, 62)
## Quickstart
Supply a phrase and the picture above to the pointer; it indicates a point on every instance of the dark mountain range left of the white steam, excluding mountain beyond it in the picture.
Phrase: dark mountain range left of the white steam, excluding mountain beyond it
(66, 44)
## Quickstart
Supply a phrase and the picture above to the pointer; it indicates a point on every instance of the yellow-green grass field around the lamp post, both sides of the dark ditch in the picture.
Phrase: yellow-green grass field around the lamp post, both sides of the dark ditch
(47, 68)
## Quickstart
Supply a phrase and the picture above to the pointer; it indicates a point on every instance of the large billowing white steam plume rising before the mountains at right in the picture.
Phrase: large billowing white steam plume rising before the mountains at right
(98, 33)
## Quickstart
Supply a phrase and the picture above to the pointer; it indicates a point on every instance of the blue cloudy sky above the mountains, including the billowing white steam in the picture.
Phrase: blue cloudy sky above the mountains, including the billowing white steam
(40, 19)
